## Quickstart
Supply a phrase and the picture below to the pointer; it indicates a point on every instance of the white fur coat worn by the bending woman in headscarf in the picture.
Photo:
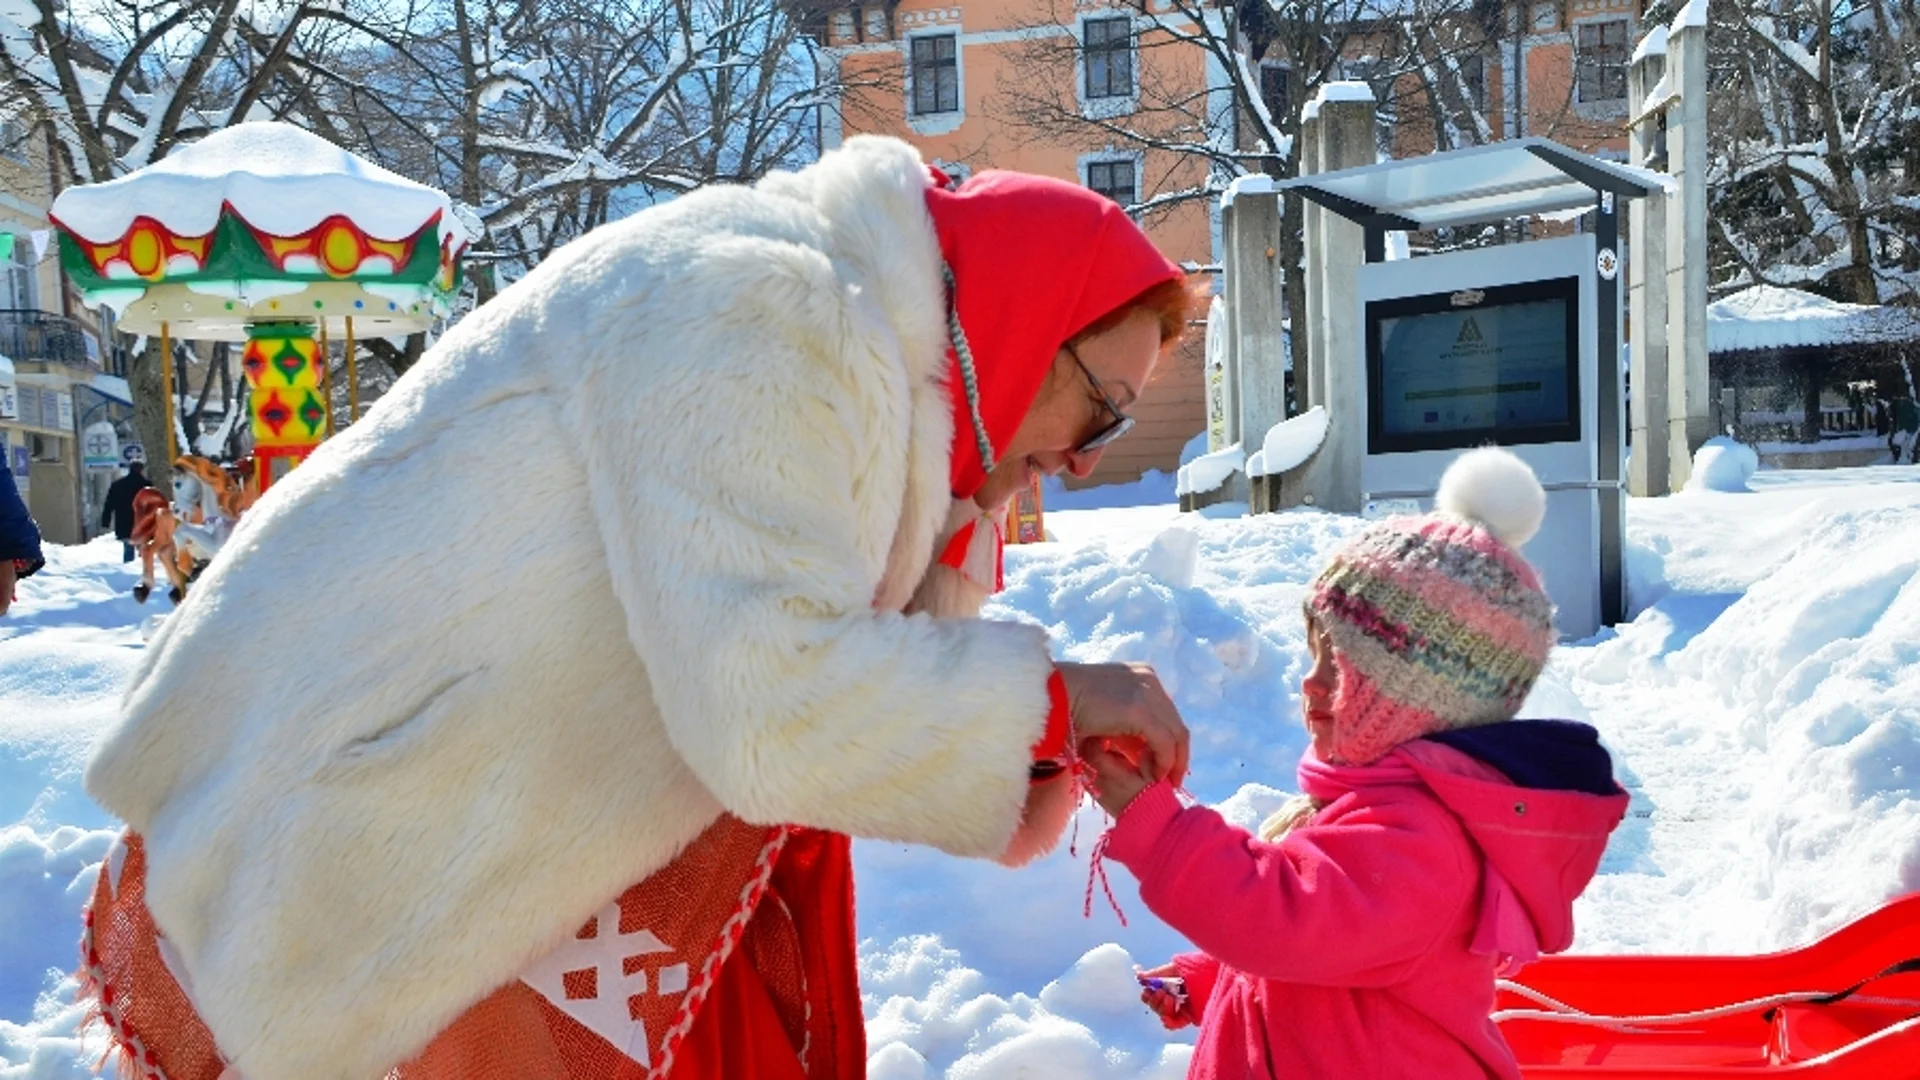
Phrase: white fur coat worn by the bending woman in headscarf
(623, 552)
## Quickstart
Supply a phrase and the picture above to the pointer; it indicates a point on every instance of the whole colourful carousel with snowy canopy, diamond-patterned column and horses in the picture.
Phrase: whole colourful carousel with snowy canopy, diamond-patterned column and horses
(270, 237)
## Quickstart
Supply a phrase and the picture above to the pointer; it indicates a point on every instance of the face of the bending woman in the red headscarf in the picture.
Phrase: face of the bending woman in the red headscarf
(1068, 410)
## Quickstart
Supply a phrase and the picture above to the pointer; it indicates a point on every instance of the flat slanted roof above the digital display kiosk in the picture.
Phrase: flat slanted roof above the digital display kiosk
(1479, 184)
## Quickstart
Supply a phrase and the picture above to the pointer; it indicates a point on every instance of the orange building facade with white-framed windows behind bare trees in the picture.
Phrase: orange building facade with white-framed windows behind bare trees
(959, 80)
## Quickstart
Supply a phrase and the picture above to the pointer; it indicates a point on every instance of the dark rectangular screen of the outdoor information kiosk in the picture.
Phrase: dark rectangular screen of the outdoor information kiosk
(1466, 368)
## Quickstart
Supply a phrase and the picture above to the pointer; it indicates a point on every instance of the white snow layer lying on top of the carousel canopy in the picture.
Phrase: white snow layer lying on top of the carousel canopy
(281, 180)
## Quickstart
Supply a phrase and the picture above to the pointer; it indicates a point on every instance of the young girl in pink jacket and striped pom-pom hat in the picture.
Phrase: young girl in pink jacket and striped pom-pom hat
(1437, 843)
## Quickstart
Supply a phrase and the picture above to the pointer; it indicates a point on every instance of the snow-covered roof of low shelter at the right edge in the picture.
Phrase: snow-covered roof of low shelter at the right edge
(1771, 318)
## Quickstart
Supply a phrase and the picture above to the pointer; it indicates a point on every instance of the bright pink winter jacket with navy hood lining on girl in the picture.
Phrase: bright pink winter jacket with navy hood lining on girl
(1349, 948)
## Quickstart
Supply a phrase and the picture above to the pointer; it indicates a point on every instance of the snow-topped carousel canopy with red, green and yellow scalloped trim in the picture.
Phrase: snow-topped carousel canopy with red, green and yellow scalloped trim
(262, 222)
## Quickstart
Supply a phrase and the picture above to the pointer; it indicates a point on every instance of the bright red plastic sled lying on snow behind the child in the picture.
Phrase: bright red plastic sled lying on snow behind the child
(1844, 1008)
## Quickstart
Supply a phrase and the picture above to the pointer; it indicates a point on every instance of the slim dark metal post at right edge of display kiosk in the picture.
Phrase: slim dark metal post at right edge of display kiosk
(1608, 474)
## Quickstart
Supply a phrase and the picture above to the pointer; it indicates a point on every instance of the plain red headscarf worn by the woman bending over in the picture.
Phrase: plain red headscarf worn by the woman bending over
(1036, 262)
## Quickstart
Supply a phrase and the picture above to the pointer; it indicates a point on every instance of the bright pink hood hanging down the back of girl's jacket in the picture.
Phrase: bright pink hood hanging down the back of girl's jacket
(1545, 843)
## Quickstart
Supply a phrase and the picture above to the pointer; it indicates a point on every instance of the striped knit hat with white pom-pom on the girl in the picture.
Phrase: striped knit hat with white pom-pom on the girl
(1437, 622)
